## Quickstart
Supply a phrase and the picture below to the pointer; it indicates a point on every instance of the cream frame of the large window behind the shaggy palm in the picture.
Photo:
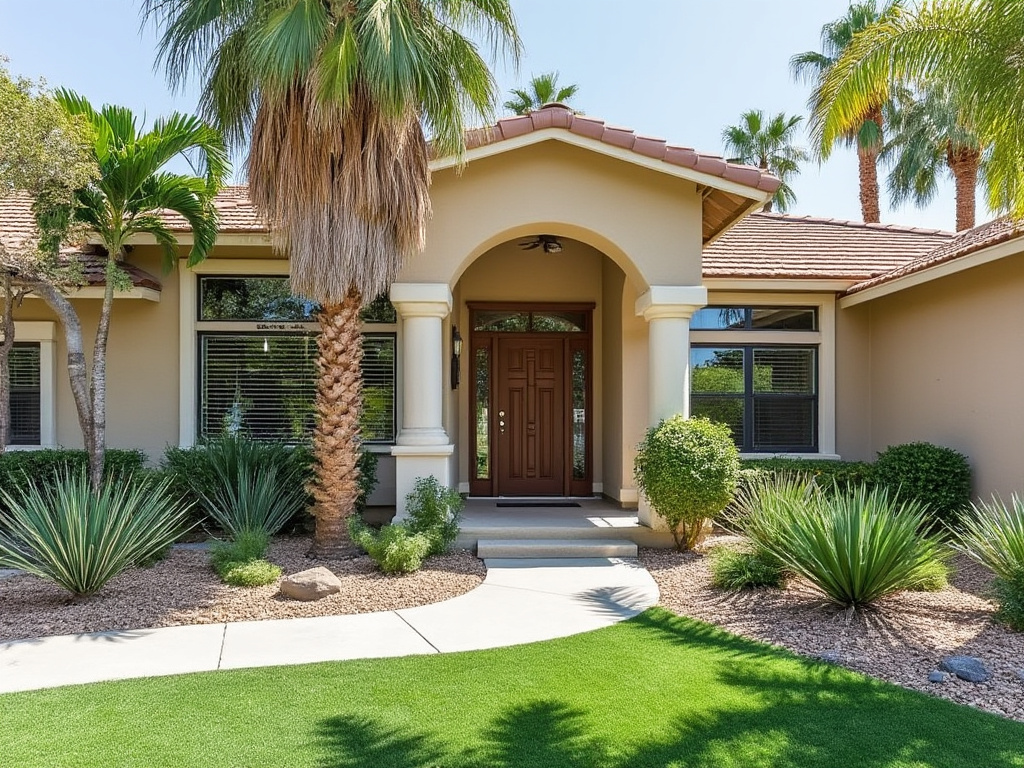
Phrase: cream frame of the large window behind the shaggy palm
(191, 327)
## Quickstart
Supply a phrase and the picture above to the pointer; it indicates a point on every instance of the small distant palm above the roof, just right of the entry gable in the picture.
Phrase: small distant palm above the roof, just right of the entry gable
(770, 147)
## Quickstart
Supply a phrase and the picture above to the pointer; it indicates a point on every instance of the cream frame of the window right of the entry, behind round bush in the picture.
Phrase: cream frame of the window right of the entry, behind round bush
(824, 339)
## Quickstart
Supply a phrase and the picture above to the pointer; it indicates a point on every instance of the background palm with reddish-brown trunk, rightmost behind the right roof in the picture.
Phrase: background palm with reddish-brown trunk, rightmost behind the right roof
(929, 140)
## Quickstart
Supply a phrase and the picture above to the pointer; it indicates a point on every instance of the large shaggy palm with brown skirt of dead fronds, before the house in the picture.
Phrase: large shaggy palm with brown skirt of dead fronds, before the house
(334, 99)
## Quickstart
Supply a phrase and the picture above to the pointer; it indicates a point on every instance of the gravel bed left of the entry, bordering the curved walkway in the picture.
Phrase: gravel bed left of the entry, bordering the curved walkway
(183, 589)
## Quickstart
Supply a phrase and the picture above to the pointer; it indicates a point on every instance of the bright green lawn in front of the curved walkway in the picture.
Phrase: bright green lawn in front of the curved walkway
(658, 691)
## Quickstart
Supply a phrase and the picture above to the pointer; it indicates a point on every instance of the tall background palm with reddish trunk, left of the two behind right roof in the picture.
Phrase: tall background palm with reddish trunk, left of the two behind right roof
(866, 132)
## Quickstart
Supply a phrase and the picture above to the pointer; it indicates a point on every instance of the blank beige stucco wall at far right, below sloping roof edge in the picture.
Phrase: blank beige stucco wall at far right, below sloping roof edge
(947, 367)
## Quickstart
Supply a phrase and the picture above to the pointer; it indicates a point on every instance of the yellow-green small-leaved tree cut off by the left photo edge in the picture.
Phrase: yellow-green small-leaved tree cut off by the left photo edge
(45, 155)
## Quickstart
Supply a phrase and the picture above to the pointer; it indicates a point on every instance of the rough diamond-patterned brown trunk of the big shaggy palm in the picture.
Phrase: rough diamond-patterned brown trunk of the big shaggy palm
(336, 440)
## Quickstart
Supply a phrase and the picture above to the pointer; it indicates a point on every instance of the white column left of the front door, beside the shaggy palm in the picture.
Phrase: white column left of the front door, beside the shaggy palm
(423, 448)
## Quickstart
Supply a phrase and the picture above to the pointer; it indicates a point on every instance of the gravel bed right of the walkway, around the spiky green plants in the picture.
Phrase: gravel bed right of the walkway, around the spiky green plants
(903, 641)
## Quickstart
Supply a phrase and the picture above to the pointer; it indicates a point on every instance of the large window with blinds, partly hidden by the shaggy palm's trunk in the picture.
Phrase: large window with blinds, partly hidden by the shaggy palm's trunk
(260, 379)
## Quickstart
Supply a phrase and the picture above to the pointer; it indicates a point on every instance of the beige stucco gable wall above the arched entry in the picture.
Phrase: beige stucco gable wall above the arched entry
(647, 223)
